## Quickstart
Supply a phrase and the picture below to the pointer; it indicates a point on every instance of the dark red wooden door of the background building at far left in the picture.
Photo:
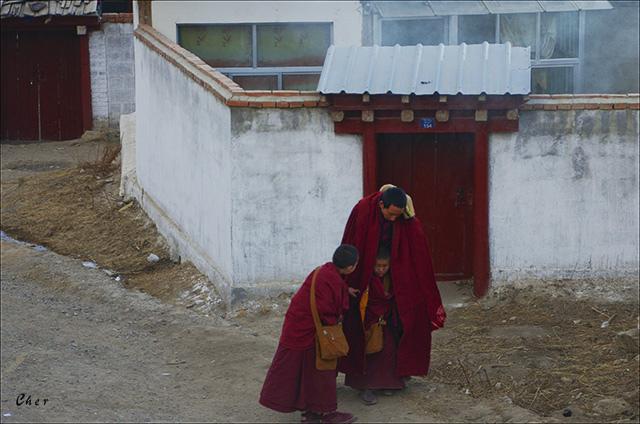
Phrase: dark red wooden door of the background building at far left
(40, 86)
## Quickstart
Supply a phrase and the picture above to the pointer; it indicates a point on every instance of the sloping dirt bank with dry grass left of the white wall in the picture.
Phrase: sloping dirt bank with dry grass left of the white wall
(53, 195)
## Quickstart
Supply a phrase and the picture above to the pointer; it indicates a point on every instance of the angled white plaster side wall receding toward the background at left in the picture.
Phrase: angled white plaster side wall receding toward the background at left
(183, 164)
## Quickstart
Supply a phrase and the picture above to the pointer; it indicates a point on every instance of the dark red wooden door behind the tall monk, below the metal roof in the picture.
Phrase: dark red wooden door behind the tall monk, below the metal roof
(437, 171)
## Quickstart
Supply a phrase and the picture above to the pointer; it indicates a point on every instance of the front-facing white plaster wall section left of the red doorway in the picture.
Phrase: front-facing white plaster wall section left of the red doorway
(294, 184)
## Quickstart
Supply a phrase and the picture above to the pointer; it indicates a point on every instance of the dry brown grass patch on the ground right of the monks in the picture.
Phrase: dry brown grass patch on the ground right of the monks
(574, 363)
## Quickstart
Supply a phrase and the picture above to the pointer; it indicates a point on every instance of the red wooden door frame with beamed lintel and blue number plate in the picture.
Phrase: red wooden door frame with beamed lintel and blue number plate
(497, 116)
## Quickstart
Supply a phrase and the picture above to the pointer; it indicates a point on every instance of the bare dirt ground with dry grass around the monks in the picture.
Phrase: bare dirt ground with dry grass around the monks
(99, 341)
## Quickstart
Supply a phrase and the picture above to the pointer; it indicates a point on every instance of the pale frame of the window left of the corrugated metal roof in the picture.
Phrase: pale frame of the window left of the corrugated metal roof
(256, 70)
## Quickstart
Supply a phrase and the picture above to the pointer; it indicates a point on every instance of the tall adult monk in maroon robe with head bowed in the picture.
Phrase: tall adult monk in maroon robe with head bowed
(383, 220)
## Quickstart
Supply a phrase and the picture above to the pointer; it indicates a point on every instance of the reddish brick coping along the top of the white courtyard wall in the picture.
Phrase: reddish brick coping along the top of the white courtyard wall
(233, 95)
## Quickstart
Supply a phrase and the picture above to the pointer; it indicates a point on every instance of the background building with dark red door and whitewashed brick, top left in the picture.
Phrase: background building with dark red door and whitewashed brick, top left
(67, 67)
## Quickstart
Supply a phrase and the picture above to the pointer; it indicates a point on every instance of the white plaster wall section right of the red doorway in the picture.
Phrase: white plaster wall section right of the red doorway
(564, 196)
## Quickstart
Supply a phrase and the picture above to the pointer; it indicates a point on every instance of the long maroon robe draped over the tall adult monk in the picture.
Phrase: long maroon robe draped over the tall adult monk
(416, 294)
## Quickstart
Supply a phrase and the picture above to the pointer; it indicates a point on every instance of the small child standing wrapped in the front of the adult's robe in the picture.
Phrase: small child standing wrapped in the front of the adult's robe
(377, 303)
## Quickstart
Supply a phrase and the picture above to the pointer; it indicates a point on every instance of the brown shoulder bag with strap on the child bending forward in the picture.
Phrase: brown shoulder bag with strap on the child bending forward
(331, 343)
